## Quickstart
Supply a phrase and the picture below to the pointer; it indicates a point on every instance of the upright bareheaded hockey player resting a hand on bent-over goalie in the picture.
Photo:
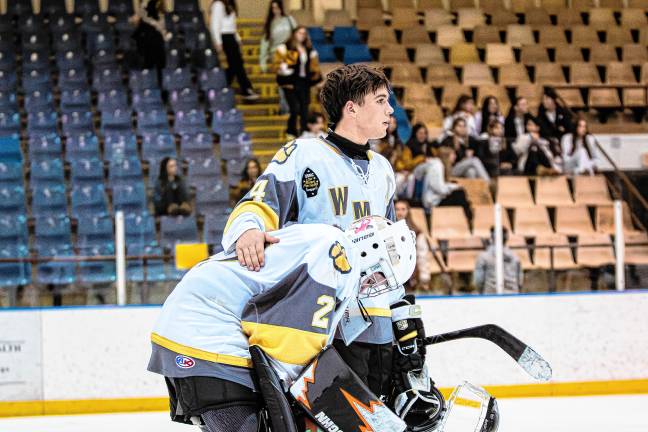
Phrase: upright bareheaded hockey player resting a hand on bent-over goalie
(333, 180)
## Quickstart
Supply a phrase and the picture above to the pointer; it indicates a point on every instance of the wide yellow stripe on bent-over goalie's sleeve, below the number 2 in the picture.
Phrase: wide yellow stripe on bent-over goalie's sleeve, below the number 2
(288, 345)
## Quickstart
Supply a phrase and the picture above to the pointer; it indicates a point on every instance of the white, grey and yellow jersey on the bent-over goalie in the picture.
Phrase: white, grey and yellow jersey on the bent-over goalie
(290, 308)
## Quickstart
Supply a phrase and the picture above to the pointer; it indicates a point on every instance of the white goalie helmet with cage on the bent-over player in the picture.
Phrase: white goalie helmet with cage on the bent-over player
(384, 247)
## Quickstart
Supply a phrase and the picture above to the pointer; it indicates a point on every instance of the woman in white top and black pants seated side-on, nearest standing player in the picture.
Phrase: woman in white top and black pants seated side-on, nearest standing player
(438, 190)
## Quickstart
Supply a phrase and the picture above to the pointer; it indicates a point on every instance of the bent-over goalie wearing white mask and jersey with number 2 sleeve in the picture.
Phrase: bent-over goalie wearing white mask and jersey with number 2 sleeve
(290, 308)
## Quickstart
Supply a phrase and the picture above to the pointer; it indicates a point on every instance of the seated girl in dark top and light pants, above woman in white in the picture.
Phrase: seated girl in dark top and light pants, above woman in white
(467, 164)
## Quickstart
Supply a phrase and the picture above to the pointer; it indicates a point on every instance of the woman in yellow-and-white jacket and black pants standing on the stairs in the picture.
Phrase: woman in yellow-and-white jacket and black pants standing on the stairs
(297, 71)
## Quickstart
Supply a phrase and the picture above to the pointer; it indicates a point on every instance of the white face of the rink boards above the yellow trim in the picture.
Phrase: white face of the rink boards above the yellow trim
(103, 352)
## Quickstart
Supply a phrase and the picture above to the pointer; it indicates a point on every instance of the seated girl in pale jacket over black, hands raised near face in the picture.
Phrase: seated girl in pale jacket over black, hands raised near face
(534, 152)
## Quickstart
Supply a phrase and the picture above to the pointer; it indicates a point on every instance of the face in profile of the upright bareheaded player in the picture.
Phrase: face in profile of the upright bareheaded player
(373, 116)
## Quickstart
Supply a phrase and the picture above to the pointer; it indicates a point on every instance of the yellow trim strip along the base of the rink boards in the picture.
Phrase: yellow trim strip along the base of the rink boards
(97, 406)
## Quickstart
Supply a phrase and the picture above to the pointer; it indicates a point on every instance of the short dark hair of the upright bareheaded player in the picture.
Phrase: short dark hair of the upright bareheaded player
(350, 83)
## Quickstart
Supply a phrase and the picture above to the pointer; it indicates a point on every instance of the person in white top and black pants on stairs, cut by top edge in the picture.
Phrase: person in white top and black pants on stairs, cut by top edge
(226, 39)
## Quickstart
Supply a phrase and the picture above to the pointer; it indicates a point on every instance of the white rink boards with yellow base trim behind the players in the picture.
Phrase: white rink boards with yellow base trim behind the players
(93, 359)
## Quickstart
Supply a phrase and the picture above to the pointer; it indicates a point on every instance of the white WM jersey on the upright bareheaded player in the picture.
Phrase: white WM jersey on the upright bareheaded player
(311, 181)
